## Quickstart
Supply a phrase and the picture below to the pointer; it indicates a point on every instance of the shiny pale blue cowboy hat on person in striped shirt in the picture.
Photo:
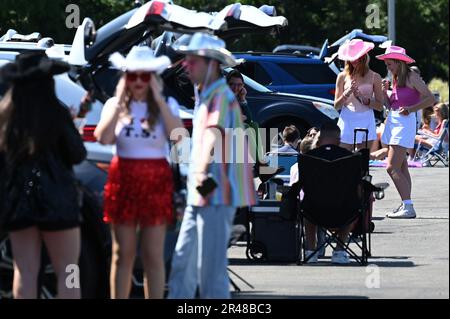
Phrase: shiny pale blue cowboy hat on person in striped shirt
(208, 46)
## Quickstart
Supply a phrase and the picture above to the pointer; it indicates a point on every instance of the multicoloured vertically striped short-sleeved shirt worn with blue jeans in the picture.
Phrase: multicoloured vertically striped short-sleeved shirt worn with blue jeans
(230, 168)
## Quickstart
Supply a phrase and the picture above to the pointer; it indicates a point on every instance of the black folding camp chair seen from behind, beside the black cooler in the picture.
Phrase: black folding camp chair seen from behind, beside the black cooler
(336, 195)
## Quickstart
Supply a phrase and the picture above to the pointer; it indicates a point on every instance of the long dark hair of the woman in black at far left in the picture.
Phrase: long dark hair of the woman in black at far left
(31, 119)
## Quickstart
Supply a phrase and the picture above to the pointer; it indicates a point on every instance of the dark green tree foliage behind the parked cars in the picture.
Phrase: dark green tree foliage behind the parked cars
(422, 25)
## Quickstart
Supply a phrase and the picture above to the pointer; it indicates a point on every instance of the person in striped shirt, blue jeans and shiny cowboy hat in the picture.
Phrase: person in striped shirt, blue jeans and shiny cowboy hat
(216, 186)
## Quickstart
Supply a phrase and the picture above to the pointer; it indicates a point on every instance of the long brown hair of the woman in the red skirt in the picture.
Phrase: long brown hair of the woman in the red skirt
(125, 98)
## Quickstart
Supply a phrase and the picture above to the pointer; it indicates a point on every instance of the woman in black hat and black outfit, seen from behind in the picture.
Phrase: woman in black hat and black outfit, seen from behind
(40, 202)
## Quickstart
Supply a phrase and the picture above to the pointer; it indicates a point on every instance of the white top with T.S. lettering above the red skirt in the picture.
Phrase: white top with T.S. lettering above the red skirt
(133, 139)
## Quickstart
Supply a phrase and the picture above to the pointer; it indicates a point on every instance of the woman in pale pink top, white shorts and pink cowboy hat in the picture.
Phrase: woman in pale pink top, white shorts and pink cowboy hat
(358, 93)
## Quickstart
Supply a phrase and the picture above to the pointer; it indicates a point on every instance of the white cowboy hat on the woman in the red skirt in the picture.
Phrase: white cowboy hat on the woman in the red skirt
(140, 58)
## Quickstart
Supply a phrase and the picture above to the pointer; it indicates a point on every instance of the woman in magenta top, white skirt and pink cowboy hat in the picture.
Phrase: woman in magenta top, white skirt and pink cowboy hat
(409, 94)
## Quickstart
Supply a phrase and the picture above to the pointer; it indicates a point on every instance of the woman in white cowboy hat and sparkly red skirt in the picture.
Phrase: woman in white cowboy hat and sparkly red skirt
(139, 189)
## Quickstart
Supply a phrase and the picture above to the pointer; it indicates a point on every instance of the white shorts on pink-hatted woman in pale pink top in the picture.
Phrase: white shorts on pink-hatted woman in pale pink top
(349, 121)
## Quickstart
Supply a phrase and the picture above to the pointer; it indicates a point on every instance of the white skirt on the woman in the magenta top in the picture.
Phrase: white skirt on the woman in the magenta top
(400, 130)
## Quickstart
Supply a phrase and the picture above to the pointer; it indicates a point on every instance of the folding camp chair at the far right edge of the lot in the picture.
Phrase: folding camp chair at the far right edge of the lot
(438, 153)
